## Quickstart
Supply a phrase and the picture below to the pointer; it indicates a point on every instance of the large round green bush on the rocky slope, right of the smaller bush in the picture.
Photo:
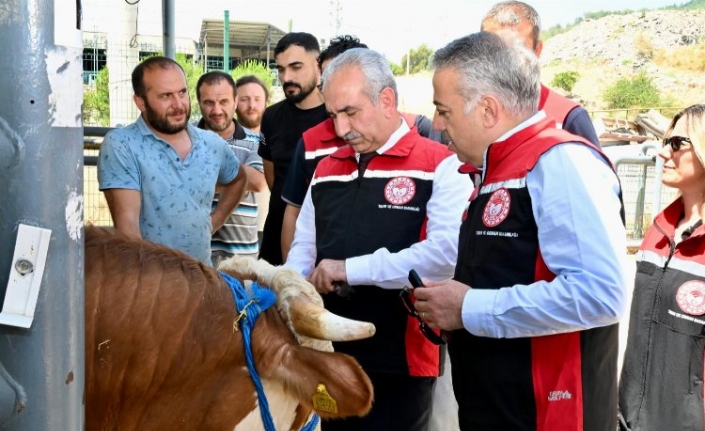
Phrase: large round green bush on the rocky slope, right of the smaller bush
(638, 91)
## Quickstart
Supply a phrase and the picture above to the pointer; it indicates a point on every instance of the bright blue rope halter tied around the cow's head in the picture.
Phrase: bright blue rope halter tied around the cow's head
(249, 308)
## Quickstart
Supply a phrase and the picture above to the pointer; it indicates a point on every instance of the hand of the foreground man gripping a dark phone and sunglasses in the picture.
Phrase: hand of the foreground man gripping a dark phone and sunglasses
(440, 303)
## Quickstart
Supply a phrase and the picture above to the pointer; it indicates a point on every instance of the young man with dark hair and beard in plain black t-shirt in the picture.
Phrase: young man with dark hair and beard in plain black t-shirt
(283, 124)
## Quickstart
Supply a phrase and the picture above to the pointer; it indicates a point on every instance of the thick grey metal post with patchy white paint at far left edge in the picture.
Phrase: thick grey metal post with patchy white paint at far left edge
(42, 178)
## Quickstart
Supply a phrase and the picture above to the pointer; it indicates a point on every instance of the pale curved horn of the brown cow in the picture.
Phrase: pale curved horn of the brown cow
(314, 321)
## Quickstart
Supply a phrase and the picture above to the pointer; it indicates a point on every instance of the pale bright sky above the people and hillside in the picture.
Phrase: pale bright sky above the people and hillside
(391, 27)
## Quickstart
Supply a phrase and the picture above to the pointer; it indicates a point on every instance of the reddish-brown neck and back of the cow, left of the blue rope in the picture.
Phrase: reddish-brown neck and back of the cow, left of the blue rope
(156, 335)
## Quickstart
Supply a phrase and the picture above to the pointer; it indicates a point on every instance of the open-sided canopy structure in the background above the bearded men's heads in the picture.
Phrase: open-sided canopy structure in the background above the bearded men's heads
(248, 40)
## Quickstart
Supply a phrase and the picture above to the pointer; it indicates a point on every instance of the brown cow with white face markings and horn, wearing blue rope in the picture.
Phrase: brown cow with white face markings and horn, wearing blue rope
(161, 352)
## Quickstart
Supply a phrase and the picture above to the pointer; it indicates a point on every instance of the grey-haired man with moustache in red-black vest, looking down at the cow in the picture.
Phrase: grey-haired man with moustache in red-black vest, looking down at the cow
(388, 201)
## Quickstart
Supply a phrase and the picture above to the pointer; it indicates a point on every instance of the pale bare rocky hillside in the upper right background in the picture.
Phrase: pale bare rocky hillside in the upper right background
(606, 49)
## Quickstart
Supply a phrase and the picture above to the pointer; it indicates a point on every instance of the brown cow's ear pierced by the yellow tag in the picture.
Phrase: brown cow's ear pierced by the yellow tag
(303, 371)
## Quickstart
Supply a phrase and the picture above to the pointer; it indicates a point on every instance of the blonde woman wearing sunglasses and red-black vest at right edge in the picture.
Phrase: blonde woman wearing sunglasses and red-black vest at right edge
(661, 386)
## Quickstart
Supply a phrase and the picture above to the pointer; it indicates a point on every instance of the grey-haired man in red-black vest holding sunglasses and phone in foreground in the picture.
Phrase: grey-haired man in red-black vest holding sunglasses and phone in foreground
(539, 285)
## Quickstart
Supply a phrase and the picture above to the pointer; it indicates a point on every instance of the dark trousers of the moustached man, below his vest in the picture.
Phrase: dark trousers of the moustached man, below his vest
(401, 403)
